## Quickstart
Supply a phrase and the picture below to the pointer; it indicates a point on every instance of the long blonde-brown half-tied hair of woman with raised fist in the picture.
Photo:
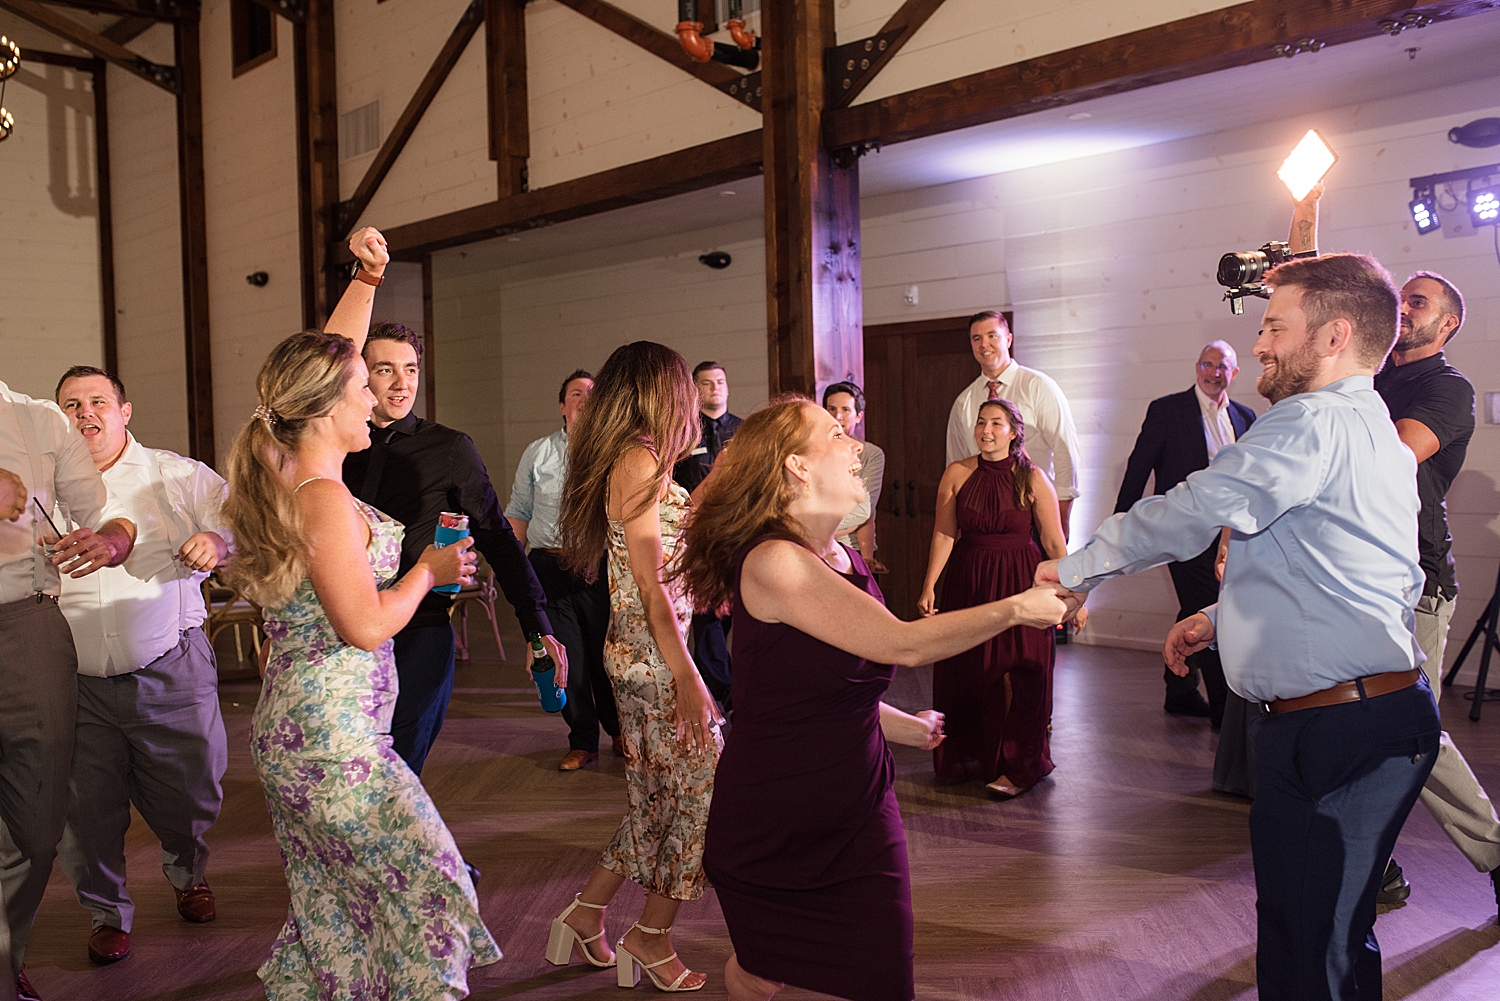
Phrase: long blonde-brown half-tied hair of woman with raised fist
(305, 377)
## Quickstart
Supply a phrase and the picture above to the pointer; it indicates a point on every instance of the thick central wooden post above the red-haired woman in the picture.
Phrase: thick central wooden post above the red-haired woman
(812, 211)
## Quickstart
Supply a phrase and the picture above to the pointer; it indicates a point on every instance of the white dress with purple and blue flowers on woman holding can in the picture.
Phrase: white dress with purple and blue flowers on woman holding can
(382, 906)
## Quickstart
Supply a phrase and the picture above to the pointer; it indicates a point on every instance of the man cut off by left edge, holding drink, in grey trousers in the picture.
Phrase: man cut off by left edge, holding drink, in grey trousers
(38, 666)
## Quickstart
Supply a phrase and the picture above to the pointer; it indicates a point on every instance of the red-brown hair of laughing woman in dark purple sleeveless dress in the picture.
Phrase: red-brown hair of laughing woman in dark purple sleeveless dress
(743, 499)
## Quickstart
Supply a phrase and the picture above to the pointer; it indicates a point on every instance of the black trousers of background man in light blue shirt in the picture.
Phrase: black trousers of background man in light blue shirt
(580, 615)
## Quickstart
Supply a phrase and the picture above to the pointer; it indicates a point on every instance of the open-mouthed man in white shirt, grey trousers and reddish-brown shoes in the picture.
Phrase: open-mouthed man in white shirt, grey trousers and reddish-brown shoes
(149, 727)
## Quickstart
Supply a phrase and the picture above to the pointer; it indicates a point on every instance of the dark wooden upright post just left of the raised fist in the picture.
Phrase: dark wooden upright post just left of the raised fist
(317, 158)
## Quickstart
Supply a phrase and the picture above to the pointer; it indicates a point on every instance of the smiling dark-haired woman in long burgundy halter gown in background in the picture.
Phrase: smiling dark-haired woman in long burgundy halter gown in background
(997, 699)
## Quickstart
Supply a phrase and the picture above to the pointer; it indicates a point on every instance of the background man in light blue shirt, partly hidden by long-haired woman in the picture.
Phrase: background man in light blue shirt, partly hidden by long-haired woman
(578, 612)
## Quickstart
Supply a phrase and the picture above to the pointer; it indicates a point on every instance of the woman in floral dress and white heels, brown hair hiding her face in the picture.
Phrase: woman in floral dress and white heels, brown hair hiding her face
(620, 499)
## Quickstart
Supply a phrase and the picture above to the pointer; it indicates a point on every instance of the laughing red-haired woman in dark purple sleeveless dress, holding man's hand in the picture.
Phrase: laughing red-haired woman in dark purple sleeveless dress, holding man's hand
(805, 841)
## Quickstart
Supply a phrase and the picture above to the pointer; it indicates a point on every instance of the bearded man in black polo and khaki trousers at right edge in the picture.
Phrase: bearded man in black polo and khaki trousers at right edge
(1433, 407)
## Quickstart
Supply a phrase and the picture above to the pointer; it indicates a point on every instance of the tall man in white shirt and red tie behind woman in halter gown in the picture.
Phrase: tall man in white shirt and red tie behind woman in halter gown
(1051, 437)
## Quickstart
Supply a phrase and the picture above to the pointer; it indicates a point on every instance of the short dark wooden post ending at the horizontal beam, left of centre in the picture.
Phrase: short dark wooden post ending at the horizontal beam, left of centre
(506, 71)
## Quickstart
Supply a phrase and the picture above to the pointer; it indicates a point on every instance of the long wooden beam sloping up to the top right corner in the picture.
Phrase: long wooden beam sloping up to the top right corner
(1204, 44)
